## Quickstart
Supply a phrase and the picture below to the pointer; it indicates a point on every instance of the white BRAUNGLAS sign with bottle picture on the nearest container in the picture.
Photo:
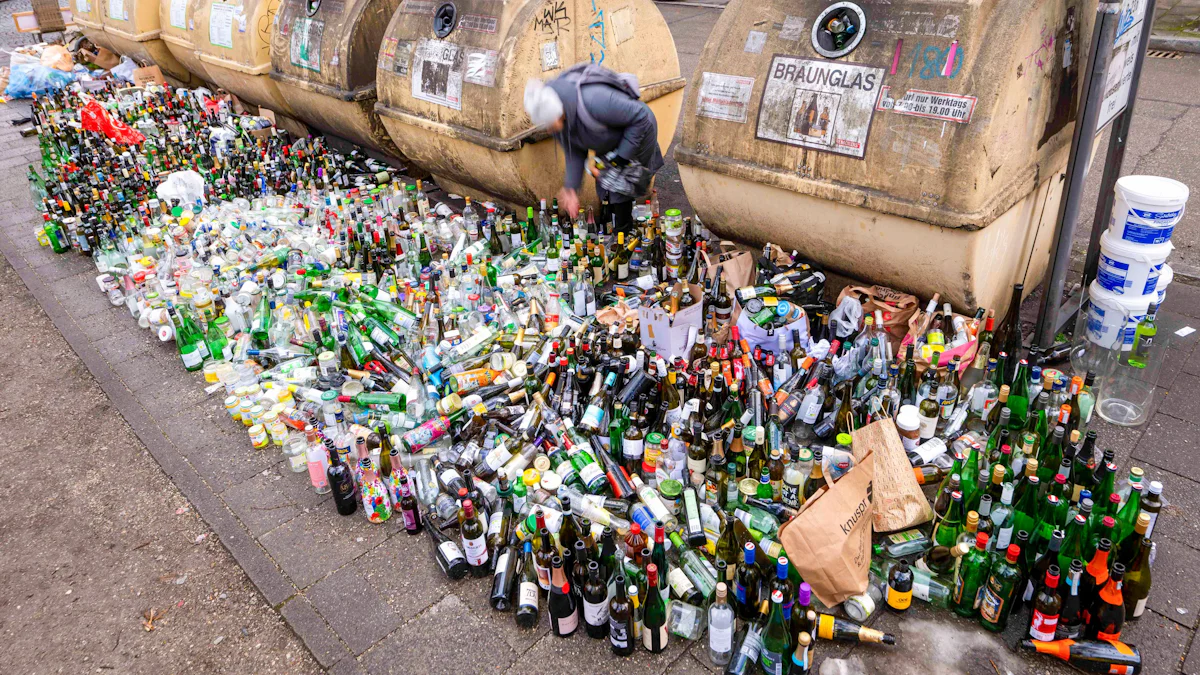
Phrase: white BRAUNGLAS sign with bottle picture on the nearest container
(820, 105)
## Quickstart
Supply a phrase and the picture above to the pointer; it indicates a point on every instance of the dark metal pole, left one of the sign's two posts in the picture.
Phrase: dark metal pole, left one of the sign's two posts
(1107, 15)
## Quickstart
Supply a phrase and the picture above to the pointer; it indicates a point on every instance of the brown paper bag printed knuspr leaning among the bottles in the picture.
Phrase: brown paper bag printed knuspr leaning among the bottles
(830, 542)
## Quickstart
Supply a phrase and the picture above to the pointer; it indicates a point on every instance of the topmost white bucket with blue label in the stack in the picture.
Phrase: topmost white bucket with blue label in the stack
(1147, 208)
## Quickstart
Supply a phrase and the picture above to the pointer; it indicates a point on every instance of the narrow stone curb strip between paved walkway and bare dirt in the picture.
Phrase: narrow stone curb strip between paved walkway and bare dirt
(259, 568)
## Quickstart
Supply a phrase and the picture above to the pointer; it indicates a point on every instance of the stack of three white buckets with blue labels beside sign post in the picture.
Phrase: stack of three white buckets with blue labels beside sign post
(1133, 271)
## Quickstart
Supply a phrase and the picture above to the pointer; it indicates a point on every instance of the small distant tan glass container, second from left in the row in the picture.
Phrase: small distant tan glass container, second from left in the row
(133, 28)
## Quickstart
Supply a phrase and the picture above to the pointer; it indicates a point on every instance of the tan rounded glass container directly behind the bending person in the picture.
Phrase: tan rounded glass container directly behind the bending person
(452, 83)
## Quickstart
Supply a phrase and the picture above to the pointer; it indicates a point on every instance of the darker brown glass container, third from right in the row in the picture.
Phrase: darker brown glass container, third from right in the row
(323, 58)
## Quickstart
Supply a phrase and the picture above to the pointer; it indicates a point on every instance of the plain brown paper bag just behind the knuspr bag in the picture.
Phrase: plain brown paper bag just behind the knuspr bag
(899, 503)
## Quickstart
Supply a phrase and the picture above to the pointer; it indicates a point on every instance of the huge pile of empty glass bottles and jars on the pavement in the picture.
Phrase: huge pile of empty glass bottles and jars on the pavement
(451, 367)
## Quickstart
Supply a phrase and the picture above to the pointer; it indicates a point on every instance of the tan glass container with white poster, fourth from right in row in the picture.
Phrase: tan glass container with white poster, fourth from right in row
(235, 45)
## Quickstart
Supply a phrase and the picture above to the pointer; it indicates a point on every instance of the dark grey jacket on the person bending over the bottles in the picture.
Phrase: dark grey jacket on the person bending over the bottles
(631, 128)
